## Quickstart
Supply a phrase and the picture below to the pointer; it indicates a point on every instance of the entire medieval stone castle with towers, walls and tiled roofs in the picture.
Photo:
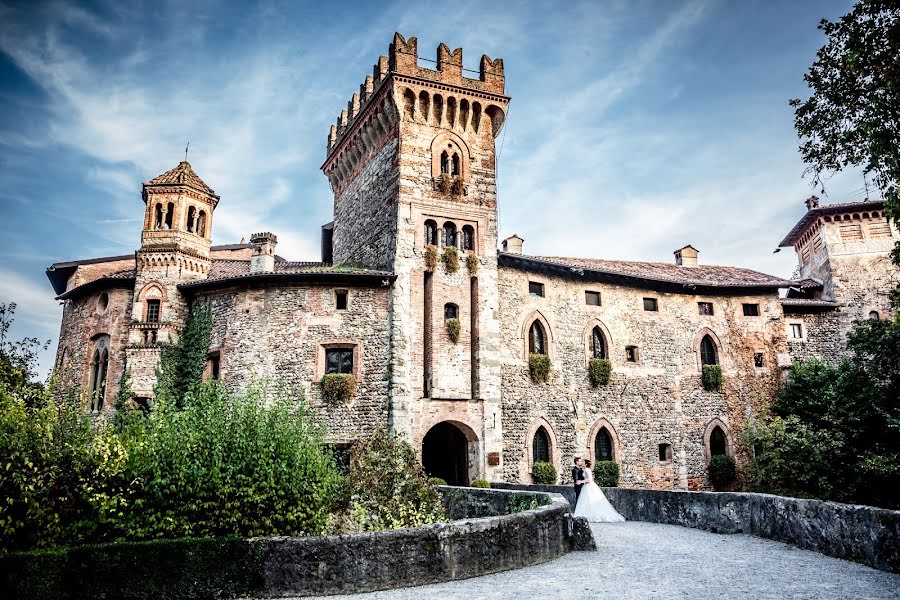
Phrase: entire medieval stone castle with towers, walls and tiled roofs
(444, 335)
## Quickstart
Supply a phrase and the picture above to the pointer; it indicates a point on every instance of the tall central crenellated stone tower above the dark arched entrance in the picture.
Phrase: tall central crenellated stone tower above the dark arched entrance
(412, 164)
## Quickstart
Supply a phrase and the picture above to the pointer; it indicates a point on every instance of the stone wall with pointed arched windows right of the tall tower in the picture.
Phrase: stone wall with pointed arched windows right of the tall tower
(659, 399)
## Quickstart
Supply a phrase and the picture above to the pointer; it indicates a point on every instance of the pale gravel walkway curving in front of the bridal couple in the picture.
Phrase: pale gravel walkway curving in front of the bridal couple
(646, 560)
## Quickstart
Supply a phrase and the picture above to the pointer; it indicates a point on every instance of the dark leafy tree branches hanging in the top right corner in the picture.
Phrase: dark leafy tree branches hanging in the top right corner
(852, 117)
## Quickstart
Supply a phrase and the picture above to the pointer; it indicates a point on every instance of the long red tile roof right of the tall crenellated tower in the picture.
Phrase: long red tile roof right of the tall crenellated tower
(702, 275)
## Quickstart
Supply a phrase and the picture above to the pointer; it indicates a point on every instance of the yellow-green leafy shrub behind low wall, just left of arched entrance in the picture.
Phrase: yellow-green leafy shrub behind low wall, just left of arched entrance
(388, 488)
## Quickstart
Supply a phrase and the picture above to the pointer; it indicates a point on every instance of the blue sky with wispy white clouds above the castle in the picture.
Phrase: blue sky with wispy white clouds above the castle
(634, 128)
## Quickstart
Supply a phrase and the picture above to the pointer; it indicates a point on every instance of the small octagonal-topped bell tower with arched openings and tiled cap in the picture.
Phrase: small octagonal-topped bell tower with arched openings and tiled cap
(175, 244)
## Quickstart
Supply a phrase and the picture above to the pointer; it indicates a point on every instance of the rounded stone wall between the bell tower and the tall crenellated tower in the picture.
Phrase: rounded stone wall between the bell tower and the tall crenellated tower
(279, 334)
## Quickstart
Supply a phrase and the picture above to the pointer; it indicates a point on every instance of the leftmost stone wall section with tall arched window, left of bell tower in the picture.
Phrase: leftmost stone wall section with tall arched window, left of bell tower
(83, 321)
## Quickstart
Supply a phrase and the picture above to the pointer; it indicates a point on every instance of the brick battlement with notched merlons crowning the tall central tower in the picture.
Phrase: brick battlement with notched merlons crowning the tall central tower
(402, 59)
